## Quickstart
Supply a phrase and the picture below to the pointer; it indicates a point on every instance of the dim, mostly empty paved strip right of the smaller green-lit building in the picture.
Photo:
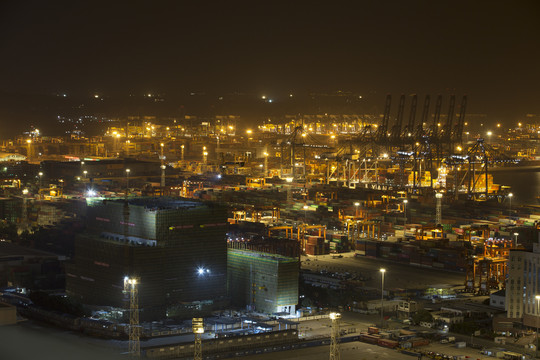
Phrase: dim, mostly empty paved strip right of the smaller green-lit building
(397, 275)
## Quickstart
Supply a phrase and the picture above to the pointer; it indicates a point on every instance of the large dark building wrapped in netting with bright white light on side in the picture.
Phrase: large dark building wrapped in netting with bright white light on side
(176, 247)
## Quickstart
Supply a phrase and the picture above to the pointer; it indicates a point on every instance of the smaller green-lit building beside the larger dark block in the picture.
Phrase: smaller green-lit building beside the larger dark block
(266, 283)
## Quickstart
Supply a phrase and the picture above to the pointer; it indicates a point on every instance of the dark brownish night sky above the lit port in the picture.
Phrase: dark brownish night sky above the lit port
(489, 50)
